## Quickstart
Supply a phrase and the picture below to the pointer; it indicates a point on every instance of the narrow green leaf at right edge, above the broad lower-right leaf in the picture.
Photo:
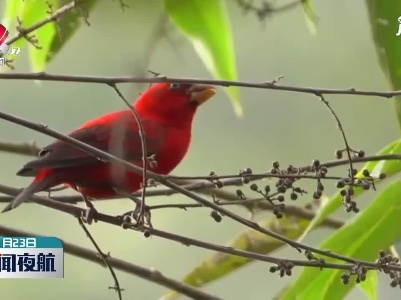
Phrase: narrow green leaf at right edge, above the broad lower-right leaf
(390, 168)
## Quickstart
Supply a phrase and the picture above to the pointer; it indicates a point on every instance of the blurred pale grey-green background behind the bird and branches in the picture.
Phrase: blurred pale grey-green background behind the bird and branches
(289, 127)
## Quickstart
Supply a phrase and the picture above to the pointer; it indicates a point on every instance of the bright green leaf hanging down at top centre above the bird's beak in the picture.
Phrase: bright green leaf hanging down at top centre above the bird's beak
(206, 24)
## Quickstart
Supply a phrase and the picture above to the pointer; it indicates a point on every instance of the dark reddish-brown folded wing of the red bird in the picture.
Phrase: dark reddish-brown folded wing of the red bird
(121, 139)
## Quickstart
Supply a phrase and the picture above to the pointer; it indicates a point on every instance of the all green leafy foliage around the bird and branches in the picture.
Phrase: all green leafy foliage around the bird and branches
(206, 25)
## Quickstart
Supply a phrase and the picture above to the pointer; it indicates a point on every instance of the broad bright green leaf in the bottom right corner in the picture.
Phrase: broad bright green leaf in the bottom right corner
(375, 228)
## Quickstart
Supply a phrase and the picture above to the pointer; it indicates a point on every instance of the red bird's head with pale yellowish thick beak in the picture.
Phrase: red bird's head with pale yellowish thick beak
(174, 102)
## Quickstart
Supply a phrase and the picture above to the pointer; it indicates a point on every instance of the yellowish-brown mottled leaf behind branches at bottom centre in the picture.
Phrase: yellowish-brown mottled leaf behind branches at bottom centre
(219, 265)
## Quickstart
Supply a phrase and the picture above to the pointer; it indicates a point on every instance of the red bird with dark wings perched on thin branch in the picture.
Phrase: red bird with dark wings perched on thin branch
(166, 111)
